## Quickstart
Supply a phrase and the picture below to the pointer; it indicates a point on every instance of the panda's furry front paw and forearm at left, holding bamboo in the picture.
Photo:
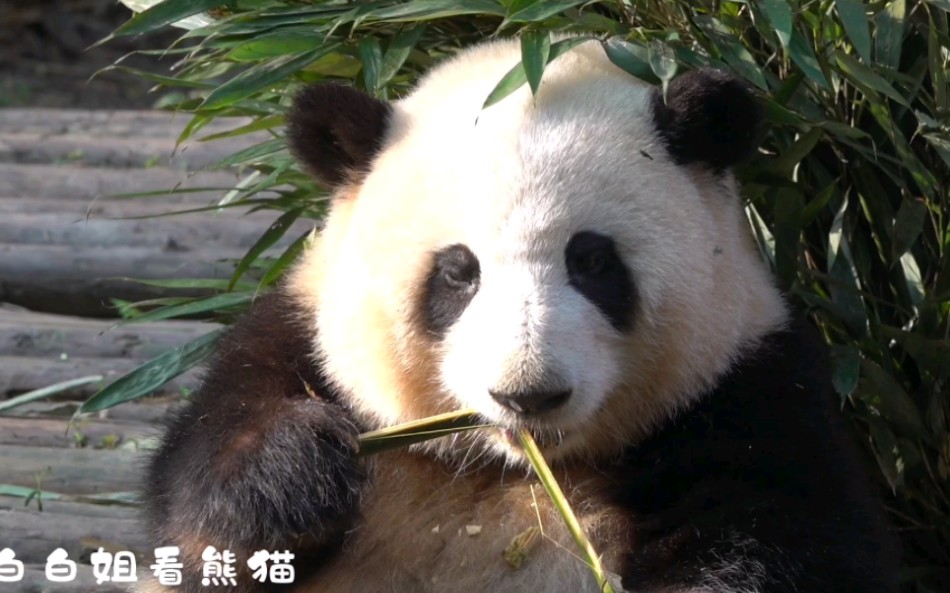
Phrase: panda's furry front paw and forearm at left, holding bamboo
(264, 478)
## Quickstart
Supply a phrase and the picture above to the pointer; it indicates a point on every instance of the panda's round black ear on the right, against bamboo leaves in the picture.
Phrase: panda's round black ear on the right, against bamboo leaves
(708, 117)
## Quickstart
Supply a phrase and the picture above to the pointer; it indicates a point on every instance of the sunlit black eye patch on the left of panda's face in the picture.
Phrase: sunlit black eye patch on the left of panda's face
(449, 287)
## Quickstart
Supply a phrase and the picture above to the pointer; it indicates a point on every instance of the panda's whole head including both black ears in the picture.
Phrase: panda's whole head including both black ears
(575, 262)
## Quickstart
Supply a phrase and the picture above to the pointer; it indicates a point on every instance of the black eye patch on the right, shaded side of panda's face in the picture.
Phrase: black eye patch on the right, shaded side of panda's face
(595, 270)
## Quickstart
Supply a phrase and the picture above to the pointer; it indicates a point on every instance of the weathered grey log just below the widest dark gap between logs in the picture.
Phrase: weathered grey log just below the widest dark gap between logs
(27, 334)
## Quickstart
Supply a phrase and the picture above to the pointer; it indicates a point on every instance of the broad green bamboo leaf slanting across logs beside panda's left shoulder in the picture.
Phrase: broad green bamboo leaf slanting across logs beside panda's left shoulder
(153, 374)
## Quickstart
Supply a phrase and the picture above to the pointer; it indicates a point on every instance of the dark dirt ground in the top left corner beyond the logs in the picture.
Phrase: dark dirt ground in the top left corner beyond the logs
(44, 60)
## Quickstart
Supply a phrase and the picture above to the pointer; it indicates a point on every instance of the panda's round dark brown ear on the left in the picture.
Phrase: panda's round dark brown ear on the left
(335, 131)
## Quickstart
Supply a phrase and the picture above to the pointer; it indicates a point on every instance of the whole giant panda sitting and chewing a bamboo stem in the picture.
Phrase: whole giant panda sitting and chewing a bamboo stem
(574, 262)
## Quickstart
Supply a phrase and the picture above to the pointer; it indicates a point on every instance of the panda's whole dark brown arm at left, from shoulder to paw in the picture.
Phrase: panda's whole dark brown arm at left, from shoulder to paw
(263, 456)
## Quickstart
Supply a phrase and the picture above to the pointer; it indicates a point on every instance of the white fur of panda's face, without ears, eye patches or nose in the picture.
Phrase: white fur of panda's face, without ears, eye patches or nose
(514, 182)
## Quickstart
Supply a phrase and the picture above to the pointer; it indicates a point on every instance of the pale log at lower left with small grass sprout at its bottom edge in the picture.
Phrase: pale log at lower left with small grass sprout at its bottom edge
(71, 471)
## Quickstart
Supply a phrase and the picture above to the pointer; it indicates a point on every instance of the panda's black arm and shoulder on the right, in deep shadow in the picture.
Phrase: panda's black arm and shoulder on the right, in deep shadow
(759, 483)
